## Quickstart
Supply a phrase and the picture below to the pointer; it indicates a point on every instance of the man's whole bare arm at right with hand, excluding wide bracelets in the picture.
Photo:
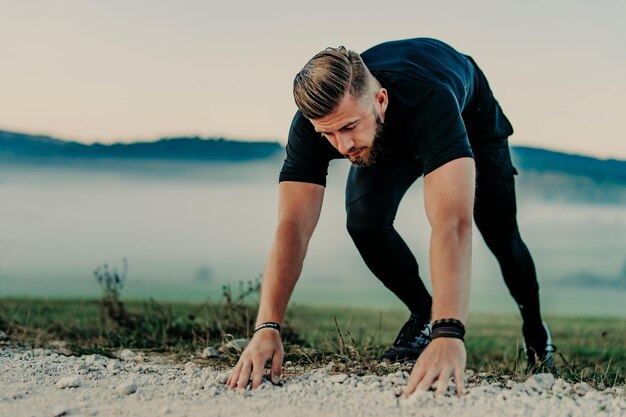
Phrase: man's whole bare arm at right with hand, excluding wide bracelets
(449, 201)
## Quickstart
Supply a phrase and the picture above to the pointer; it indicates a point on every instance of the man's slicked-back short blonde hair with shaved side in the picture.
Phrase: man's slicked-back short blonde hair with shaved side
(321, 84)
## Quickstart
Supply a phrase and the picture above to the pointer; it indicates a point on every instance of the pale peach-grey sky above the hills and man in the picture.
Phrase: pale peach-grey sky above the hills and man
(122, 71)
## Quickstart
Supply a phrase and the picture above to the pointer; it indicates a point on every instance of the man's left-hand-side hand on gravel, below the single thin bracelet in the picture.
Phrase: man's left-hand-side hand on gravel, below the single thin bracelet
(265, 346)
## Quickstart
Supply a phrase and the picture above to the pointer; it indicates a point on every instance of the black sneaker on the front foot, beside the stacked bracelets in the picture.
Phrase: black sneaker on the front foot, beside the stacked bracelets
(411, 341)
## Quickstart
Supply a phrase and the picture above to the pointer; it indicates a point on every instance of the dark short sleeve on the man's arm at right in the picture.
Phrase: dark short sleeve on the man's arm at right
(440, 130)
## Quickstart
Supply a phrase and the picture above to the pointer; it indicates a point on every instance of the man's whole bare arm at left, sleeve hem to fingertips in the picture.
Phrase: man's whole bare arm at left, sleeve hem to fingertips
(299, 207)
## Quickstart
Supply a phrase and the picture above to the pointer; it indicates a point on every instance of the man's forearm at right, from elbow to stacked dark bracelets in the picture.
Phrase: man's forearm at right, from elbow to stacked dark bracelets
(450, 265)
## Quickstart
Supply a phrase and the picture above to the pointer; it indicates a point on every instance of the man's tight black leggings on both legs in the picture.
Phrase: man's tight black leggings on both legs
(373, 195)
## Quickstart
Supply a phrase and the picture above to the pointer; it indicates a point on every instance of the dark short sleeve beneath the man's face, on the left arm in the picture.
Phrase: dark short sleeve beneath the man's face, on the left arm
(307, 154)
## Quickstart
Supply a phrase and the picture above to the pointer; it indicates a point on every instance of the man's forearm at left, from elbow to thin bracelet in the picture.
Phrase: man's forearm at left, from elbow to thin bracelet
(281, 272)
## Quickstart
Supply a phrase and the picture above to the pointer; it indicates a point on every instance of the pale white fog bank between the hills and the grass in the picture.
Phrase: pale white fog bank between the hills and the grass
(186, 229)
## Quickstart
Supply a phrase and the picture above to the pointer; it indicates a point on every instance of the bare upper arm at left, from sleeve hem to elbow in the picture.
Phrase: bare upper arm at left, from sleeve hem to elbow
(300, 203)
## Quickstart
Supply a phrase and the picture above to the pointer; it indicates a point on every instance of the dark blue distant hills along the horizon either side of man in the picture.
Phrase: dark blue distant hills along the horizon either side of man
(22, 147)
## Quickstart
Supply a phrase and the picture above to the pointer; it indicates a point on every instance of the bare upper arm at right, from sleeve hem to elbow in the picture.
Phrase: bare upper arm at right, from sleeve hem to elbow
(449, 192)
